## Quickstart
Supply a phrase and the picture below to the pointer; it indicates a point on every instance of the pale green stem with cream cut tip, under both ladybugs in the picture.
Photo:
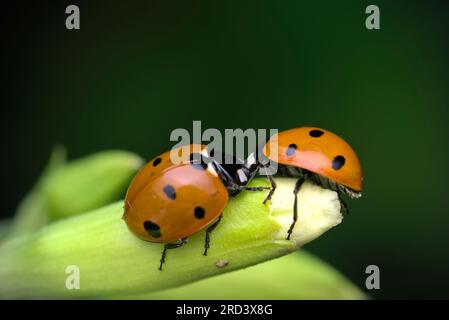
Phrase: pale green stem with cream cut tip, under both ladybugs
(112, 261)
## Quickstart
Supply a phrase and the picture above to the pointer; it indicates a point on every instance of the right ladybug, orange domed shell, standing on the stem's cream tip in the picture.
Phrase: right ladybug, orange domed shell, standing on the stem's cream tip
(318, 155)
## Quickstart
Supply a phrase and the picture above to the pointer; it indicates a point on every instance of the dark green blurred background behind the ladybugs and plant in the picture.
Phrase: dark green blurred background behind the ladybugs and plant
(137, 70)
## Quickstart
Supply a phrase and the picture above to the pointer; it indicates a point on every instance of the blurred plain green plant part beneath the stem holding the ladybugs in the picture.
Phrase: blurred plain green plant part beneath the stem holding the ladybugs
(296, 276)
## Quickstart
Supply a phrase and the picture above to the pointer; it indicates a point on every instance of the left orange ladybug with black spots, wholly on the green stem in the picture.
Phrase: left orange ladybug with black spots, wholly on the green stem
(167, 202)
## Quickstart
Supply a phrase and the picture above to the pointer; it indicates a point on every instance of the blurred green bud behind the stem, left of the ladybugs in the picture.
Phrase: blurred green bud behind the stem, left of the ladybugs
(66, 189)
